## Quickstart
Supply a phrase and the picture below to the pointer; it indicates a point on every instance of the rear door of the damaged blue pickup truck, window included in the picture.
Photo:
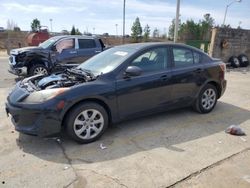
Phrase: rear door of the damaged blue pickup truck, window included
(87, 48)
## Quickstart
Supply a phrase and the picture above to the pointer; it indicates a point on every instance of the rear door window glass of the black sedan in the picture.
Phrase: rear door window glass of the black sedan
(182, 57)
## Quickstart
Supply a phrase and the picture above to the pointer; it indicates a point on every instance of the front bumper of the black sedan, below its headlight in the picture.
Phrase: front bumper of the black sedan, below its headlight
(34, 121)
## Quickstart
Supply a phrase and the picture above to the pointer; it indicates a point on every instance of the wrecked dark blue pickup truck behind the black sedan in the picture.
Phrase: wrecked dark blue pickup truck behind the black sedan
(55, 54)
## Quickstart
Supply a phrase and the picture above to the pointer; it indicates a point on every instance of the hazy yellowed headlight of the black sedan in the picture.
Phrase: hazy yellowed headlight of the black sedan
(44, 95)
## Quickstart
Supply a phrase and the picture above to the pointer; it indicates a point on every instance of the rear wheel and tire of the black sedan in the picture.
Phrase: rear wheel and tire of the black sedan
(206, 100)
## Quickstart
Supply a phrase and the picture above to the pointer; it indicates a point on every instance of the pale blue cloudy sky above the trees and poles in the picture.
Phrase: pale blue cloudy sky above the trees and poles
(101, 16)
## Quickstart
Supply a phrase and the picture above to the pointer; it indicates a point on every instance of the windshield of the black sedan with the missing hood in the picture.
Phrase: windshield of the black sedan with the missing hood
(106, 61)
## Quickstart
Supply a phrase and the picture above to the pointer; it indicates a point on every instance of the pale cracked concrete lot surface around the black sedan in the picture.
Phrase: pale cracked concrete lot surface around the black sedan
(173, 149)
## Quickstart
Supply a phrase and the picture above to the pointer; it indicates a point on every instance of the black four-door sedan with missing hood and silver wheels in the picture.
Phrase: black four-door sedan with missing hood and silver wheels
(122, 82)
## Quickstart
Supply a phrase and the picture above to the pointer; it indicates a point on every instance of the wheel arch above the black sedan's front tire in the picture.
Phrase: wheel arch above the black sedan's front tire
(94, 100)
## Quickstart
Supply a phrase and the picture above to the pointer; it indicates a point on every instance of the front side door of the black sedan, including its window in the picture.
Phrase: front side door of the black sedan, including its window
(151, 89)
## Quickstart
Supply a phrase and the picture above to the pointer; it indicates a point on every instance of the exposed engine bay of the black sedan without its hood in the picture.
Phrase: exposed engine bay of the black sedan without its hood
(68, 78)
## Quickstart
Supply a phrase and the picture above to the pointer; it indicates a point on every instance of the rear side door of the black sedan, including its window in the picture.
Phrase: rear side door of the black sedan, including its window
(188, 74)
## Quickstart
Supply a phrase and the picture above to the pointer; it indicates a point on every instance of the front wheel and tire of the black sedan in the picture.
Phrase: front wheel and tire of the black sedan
(84, 127)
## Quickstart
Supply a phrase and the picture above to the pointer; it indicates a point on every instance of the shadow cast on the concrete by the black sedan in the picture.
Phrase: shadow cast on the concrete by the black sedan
(164, 130)
